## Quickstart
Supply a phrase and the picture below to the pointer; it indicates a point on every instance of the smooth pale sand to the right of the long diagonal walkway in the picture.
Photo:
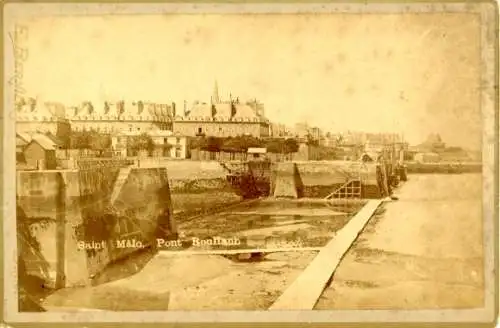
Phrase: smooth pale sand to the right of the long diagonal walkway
(424, 252)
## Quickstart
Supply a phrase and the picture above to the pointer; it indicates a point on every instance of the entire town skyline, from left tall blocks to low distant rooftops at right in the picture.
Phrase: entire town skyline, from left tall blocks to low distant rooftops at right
(167, 124)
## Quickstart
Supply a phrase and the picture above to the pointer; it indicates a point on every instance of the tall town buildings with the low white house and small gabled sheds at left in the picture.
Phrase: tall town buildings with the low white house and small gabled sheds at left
(164, 123)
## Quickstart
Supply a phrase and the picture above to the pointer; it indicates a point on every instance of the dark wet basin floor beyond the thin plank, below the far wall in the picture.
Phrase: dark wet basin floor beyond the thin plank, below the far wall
(272, 224)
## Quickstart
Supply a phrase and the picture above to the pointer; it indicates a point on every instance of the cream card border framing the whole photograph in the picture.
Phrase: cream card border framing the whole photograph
(487, 12)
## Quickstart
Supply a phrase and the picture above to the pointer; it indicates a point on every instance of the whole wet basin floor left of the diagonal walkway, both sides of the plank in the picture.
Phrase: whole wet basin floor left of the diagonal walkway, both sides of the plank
(214, 282)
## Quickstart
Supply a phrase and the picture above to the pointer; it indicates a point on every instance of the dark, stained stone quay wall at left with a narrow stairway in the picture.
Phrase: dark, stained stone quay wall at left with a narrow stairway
(68, 228)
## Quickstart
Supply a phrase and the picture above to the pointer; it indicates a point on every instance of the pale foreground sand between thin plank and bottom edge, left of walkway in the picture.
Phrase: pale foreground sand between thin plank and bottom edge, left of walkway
(192, 282)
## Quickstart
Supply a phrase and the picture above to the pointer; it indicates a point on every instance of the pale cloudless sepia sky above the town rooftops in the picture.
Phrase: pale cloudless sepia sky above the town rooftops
(413, 74)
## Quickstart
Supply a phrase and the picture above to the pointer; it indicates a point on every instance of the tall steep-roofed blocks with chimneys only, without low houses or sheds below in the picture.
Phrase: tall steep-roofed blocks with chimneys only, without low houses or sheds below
(217, 118)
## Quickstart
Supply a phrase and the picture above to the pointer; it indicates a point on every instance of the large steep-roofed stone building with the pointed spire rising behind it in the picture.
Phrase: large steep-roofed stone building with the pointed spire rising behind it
(223, 118)
